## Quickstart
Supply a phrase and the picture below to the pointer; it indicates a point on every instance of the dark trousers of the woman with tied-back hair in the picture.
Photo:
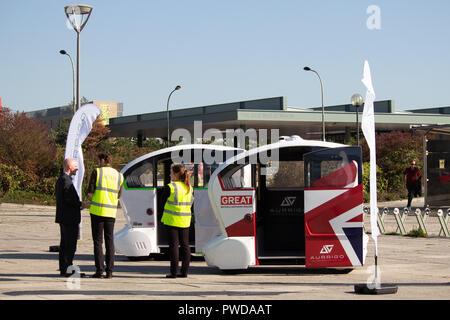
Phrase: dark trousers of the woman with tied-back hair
(179, 237)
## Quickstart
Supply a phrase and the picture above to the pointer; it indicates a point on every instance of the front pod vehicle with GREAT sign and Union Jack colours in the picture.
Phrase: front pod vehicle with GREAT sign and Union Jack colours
(304, 201)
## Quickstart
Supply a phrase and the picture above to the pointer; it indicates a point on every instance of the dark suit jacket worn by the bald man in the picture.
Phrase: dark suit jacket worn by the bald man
(68, 204)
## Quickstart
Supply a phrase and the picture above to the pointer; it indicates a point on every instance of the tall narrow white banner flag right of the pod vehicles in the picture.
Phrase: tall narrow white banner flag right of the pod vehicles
(368, 128)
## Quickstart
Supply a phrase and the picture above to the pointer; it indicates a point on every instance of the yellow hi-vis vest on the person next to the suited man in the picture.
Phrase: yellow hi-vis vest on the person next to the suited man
(107, 187)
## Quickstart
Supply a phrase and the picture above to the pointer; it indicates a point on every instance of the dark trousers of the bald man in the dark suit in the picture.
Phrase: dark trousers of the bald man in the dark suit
(67, 245)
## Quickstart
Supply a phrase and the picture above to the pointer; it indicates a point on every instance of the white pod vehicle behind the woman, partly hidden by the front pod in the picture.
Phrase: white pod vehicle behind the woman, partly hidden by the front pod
(145, 178)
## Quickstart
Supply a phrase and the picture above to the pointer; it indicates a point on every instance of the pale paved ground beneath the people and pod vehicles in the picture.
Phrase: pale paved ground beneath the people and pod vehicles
(419, 267)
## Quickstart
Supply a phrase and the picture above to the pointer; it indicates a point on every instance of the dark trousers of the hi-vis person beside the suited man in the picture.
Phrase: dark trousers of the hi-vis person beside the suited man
(103, 226)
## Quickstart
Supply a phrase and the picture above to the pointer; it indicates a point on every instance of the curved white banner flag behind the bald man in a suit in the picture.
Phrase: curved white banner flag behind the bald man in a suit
(79, 129)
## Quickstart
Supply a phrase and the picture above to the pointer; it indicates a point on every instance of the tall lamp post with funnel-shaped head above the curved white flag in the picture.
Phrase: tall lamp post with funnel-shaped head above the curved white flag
(78, 15)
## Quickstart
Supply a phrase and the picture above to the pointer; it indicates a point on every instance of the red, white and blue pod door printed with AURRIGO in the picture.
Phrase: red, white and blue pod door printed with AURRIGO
(334, 208)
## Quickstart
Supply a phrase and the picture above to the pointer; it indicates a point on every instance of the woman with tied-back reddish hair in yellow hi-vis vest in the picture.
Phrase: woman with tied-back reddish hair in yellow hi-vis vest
(178, 198)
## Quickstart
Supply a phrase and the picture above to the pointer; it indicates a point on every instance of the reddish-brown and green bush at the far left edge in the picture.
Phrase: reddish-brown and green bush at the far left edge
(27, 157)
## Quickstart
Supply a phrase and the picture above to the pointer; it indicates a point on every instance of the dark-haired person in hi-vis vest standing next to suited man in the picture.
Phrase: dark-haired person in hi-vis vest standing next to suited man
(105, 184)
